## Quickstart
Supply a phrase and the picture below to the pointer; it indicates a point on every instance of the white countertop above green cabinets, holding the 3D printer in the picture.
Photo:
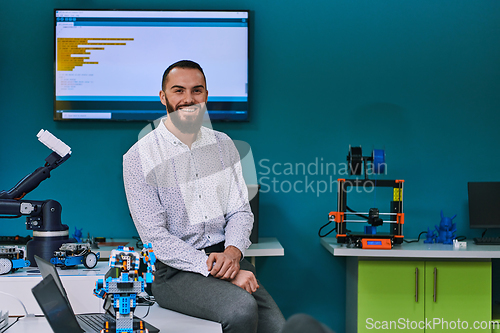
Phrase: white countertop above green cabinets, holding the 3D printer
(415, 250)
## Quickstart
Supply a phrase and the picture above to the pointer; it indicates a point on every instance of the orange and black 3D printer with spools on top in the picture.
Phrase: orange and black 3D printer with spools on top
(370, 239)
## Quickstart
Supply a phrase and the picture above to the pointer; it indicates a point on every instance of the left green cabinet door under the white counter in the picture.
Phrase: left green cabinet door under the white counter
(390, 296)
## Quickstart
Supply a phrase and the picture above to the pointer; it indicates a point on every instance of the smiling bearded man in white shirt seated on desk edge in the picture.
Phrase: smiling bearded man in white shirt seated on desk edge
(188, 198)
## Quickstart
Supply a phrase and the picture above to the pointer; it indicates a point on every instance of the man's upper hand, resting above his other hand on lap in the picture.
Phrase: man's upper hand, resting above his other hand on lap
(224, 265)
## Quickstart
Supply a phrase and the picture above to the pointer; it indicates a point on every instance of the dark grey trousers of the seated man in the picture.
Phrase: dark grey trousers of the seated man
(217, 300)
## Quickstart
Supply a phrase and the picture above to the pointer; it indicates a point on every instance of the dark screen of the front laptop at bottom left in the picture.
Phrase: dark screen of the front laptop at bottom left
(55, 307)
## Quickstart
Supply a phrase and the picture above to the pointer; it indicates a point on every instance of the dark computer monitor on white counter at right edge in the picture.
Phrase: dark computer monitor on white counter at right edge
(484, 205)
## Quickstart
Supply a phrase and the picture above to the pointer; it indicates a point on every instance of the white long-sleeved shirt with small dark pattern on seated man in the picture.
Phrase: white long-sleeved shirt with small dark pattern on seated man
(183, 200)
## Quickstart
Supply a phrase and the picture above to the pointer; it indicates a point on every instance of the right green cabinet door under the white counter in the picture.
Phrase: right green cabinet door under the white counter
(458, 295)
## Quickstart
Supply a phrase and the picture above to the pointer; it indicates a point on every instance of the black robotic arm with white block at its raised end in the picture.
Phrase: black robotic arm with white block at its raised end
(43, 217)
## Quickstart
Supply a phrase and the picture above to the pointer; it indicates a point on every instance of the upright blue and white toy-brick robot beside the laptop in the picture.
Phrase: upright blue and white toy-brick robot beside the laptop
(123, 284)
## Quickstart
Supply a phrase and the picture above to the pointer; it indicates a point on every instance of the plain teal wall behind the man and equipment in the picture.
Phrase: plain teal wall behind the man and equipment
(420, 78)
